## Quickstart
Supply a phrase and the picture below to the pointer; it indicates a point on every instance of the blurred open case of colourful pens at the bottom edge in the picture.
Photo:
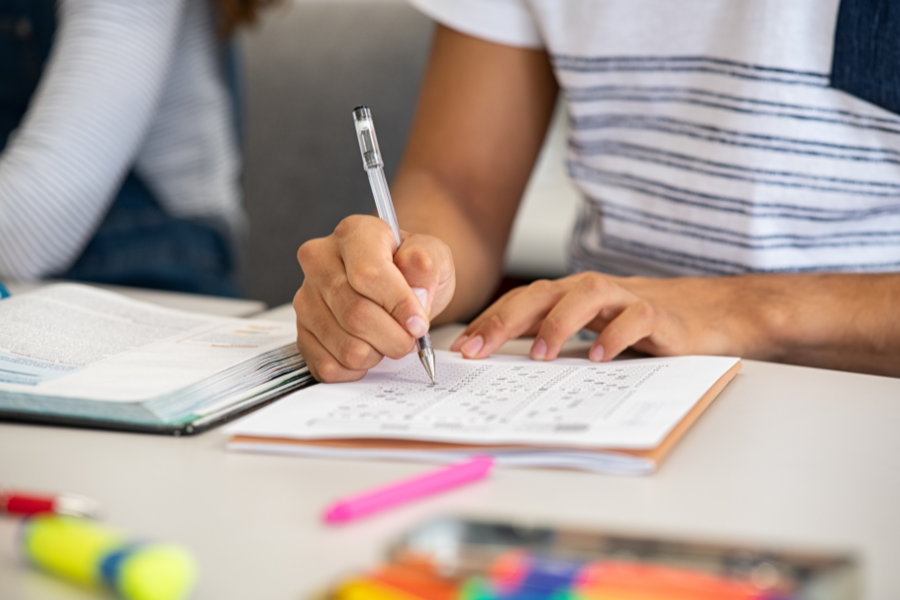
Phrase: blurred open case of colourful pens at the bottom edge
(456, 559)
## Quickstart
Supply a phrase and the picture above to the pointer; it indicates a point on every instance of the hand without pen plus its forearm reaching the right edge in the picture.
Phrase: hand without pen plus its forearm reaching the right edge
(828, 320)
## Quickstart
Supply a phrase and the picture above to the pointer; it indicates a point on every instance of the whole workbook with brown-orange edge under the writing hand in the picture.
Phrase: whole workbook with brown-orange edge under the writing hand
(617, 417)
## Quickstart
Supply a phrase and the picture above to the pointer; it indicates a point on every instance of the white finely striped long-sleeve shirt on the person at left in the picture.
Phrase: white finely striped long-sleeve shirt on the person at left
(127, 85)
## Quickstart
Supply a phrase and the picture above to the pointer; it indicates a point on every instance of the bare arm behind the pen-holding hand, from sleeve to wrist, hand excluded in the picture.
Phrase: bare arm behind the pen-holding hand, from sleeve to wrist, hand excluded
(482, 116)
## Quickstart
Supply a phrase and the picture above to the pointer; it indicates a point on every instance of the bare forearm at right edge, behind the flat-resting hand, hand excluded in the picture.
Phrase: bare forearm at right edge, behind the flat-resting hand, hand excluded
(840, 321)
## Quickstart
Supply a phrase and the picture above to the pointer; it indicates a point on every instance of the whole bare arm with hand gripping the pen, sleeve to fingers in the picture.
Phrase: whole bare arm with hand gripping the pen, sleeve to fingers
(483, 113)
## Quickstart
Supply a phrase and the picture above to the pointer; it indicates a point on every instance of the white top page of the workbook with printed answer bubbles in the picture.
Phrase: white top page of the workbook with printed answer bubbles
(567, 402)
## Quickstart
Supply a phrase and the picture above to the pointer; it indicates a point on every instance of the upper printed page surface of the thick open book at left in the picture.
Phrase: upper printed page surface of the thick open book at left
(74, 341)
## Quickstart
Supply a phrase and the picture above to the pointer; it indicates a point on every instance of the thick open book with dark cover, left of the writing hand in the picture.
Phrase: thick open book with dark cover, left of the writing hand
(76, 355)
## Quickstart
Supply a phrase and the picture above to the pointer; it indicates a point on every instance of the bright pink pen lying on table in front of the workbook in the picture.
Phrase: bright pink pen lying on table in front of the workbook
(414, 488)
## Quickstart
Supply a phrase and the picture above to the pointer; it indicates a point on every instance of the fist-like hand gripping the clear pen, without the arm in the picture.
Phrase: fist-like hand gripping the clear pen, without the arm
(360, 302)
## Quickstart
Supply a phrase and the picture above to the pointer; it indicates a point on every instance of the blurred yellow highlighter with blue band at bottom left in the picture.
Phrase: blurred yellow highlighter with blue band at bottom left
(85, 552)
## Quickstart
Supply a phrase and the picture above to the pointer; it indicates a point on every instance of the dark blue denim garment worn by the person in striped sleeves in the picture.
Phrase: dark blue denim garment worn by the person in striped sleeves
(138, 243)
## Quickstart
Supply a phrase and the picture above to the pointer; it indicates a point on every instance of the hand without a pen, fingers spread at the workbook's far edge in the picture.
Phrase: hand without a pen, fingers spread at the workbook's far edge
(660, 317)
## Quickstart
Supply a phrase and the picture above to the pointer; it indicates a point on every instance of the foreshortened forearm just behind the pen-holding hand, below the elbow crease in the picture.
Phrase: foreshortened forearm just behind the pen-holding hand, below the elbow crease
(425, 205)
